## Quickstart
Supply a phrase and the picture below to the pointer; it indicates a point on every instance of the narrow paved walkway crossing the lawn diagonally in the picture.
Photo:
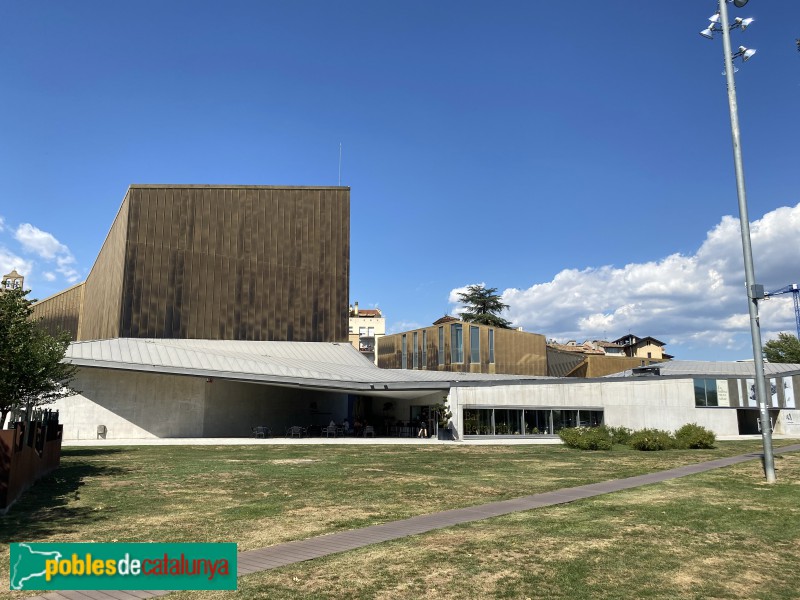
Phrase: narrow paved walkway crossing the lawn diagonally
(288, 553)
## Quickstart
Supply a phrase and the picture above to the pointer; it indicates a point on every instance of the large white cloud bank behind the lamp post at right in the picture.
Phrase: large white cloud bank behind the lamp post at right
(697, 301)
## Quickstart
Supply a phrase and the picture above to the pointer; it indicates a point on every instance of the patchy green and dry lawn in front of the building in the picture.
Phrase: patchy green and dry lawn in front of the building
(703, 536)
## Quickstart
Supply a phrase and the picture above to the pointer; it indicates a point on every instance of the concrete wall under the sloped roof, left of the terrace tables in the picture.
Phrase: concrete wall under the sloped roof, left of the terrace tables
(135, 405)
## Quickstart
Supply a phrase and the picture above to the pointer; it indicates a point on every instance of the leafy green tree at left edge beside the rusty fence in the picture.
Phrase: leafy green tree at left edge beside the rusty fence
(31, 371)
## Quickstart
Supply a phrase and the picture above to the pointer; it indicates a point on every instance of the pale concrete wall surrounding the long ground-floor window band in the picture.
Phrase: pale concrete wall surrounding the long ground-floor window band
(637, 404)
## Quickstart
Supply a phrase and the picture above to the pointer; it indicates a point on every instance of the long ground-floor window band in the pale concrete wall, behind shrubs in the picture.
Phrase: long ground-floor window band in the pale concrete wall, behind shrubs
(520, 421)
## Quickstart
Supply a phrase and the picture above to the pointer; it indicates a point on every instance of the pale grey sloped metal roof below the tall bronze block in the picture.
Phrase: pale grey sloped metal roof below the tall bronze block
(317, 364)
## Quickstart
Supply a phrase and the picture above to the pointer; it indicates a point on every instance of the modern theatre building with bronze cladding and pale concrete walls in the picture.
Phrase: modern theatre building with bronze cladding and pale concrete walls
(211, 310)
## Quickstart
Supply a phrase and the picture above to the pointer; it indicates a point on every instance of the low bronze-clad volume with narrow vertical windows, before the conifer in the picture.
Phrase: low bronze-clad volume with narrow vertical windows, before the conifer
(454, 345)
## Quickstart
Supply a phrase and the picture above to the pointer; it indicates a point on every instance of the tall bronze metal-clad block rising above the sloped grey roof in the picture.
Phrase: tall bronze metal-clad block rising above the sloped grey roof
(223, 262)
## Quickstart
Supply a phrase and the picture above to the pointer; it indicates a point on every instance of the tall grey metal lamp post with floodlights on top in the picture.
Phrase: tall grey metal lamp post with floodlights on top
(755, 292)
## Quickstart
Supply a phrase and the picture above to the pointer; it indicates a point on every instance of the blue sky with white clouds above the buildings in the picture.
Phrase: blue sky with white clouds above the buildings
(576, 156)
